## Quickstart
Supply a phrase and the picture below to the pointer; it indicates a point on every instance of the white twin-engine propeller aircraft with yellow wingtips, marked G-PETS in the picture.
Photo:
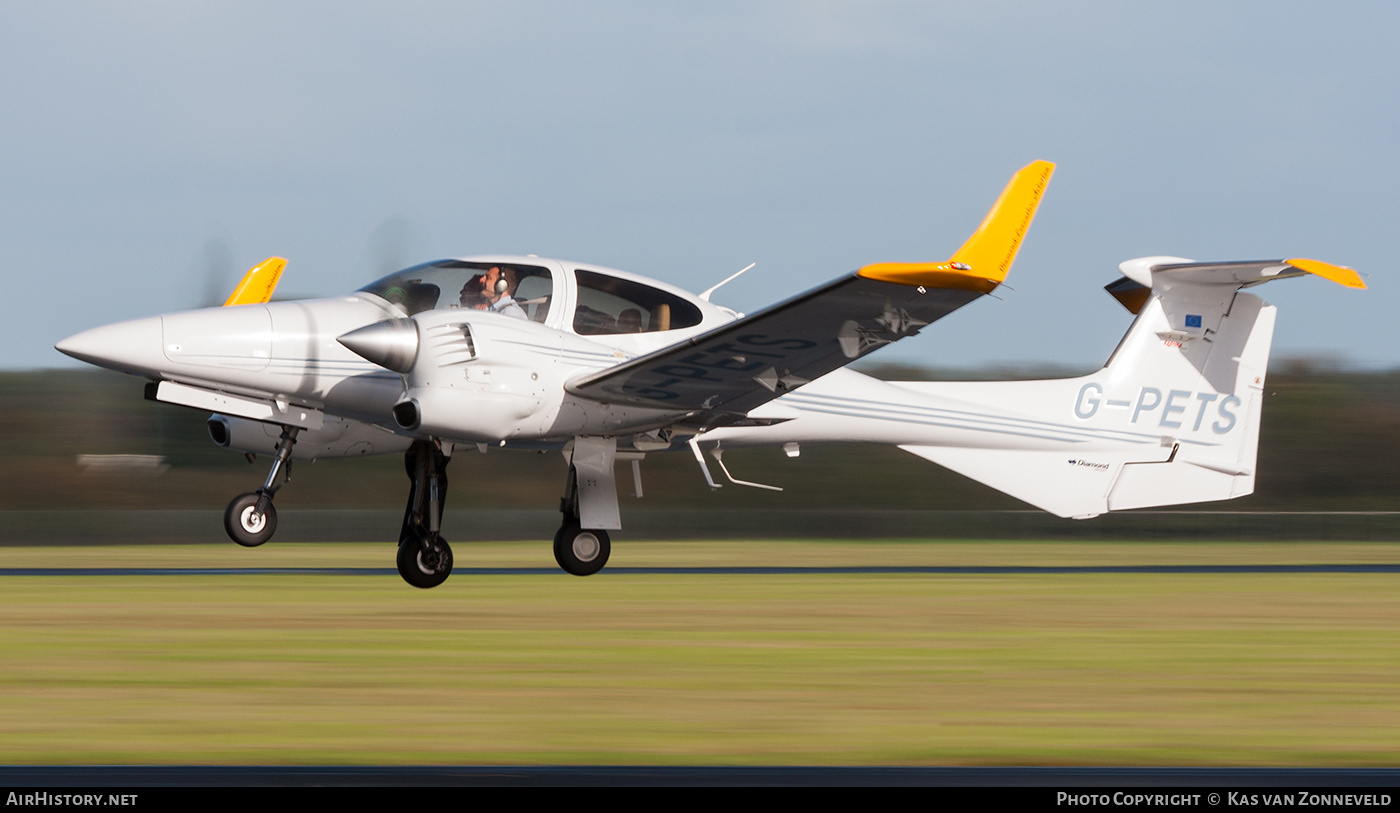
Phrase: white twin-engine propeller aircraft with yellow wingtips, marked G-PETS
(530, 353)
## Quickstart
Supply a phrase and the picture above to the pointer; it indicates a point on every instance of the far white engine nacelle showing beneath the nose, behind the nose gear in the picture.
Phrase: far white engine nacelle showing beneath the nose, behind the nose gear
(337, 439)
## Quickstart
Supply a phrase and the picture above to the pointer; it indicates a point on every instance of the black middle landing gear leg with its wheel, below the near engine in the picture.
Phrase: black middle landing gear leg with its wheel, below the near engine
(425, 558)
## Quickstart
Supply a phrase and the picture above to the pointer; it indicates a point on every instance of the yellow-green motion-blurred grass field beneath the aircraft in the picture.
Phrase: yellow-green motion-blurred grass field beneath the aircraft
(1059, 670)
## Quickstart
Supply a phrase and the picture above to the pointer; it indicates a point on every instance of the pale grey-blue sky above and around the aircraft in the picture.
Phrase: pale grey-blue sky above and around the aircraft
(155, 150)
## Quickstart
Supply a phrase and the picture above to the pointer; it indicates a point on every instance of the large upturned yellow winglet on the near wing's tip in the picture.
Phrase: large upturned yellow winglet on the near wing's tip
(982, 264)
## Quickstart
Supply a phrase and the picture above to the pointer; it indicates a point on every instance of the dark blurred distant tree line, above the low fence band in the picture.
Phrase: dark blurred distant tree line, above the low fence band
(1331, 441)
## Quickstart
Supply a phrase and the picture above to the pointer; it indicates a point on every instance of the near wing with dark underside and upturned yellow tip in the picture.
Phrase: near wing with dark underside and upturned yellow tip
(766, 355)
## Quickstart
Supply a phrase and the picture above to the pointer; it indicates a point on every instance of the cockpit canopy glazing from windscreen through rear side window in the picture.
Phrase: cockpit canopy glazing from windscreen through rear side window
(604, 304)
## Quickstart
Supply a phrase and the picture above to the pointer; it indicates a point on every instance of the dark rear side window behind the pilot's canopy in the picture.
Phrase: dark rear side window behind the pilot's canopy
(611, 306)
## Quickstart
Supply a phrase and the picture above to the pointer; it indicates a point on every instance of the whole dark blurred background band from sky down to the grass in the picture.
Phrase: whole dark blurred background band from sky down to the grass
(1329, 444)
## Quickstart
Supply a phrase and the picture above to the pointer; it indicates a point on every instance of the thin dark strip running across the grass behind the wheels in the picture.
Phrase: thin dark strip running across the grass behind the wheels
(873, 570)
